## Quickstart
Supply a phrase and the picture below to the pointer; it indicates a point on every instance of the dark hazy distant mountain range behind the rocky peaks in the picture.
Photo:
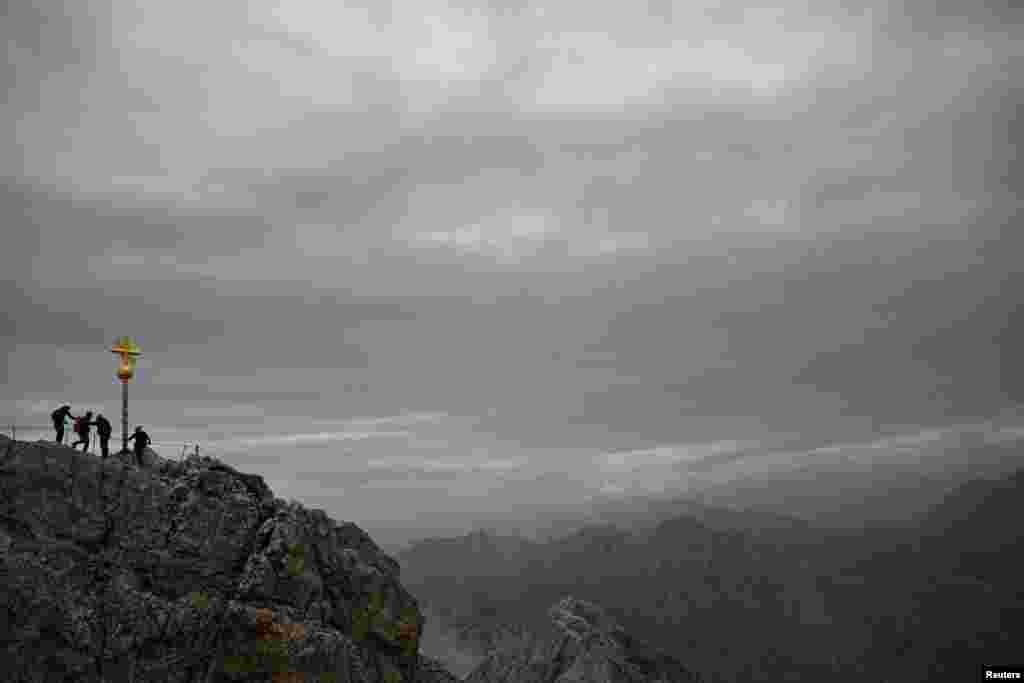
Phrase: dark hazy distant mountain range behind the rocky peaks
(770, 601)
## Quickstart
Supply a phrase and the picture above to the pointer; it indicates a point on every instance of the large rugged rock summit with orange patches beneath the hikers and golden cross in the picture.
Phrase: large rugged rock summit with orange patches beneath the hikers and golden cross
(189, 573)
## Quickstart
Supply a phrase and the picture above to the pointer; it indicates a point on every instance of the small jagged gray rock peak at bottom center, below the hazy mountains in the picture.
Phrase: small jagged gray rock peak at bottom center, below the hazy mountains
(589, 649)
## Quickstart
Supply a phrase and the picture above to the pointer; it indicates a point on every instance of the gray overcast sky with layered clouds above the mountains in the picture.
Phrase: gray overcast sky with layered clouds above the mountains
(430, 259)
